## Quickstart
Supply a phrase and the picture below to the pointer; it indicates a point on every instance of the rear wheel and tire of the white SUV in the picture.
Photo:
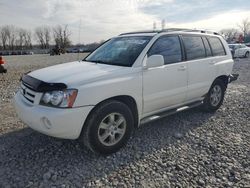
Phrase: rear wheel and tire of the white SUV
(215, 96)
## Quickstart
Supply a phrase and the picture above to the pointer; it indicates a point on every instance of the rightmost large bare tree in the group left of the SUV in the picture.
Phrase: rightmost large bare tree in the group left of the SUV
(61, 36)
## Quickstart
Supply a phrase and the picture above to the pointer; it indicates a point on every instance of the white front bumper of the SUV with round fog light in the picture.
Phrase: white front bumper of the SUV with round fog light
(56, 122)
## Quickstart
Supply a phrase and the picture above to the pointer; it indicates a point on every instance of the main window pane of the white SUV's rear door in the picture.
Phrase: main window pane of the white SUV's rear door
(194, 47)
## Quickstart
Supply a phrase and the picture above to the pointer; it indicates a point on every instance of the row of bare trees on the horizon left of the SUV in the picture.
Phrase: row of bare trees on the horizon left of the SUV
(17, 38)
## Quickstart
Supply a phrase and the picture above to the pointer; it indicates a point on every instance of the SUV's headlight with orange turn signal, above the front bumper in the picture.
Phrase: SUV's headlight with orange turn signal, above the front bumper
(62, 99)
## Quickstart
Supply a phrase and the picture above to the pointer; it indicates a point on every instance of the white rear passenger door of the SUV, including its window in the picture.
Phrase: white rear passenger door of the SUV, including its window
(201, 66)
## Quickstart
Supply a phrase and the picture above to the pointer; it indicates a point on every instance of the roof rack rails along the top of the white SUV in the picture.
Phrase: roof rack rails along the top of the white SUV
(172, 30)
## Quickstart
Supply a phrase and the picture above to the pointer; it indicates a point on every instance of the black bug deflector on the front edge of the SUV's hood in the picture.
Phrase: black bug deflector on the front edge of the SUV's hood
(41, 86)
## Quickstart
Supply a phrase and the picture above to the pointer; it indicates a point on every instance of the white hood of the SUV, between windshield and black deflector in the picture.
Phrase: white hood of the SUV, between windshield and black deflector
(75, 72)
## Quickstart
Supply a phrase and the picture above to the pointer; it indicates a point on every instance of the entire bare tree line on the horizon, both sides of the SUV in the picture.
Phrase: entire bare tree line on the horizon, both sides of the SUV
(17, 38)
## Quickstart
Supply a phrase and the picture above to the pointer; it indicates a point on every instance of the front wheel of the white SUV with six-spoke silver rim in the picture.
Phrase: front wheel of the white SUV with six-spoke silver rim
(108, 127)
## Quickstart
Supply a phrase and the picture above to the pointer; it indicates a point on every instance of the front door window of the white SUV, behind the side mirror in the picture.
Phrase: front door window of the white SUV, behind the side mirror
(169, 47)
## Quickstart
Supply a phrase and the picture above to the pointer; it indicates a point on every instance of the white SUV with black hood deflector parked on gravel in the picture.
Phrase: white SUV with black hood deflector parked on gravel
(129, 80)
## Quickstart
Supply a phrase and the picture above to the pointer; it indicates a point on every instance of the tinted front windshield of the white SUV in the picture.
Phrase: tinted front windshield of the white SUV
(121, 51)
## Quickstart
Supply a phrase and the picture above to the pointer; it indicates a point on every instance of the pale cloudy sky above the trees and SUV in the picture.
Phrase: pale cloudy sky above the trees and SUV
(98, 20)
